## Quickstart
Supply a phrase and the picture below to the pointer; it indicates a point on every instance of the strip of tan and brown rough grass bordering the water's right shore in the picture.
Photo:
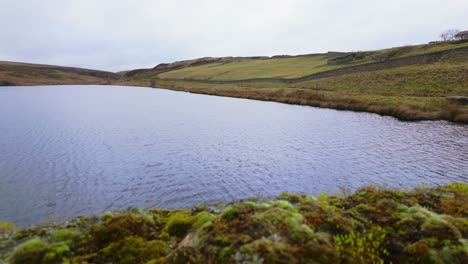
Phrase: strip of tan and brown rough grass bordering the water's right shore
(408, 108)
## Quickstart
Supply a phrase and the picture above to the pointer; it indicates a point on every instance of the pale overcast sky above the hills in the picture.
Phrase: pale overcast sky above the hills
(127, 34)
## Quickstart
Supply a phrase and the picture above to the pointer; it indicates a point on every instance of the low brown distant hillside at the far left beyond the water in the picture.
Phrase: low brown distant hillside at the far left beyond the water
(15, 73)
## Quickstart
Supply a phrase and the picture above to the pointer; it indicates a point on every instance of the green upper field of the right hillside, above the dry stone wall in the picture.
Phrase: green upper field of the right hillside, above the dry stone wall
(287, 67)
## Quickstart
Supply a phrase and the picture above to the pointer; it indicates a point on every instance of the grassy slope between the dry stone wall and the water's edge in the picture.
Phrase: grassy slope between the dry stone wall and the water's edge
(416, 92)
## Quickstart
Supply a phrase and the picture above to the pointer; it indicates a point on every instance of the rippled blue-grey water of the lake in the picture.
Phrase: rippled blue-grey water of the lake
(76, 150)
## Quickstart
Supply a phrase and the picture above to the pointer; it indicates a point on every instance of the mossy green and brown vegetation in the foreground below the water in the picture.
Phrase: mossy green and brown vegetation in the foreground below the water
(373, 225)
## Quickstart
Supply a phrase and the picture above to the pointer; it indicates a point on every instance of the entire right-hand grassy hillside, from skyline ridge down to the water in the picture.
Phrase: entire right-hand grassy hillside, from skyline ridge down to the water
(410, 83)
